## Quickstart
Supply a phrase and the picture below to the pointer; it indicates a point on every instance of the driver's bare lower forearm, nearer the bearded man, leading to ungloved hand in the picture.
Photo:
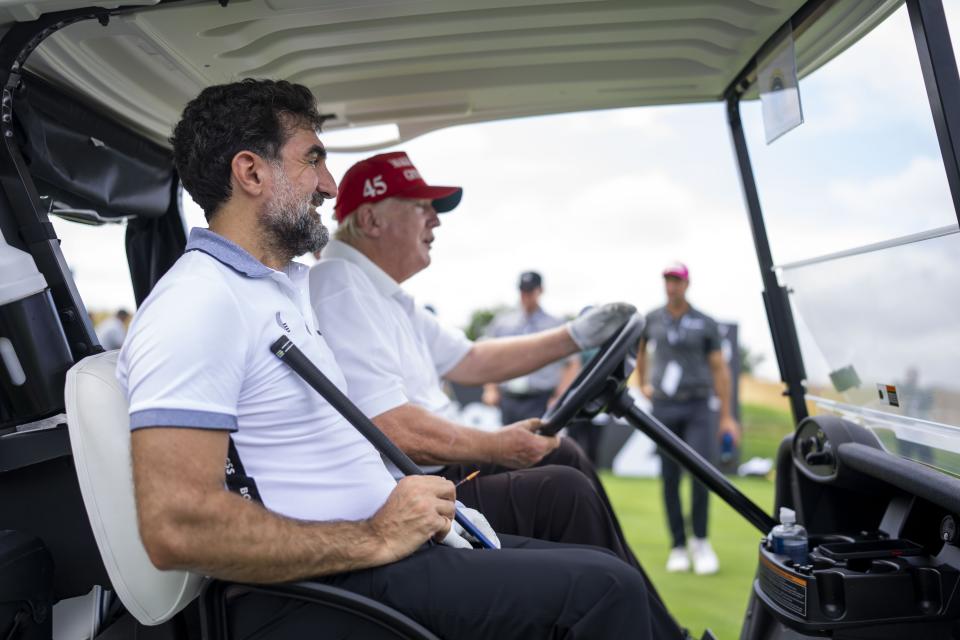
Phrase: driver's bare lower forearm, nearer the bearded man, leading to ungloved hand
(430, 439)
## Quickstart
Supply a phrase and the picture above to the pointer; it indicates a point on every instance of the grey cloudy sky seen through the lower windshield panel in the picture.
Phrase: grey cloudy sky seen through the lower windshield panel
(884, 312)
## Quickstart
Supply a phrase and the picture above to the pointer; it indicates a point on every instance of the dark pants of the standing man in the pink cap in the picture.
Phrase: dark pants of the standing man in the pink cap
(693, 421)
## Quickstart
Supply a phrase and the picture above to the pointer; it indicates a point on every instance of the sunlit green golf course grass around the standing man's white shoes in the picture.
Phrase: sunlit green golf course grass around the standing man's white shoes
(717, 602)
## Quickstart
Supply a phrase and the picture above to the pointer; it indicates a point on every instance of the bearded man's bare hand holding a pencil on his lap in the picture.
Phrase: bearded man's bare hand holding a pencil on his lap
(418, 509)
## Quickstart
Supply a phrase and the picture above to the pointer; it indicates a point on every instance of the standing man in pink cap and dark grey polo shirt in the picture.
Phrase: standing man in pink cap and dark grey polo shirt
(688, 368)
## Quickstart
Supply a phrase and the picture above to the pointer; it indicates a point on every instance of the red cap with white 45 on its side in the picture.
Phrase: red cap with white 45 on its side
(389, 175)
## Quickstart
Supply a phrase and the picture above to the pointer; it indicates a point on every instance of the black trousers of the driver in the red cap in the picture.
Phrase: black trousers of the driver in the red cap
(560, 500)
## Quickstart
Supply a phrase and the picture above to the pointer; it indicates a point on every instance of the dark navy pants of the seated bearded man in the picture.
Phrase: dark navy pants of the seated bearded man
(528, 589)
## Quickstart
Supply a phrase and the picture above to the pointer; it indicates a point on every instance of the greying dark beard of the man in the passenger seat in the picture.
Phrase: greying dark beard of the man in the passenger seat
(289, 222)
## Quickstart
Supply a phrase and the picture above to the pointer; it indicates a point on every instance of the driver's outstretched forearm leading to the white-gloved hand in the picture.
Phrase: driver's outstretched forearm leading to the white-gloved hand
(500, 359)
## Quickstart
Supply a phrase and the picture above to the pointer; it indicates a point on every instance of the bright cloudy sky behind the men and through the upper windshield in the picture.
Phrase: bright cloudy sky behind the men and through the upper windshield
(600, 202)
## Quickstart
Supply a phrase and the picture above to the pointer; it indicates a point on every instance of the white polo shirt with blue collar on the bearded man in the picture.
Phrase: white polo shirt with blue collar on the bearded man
(198, 356)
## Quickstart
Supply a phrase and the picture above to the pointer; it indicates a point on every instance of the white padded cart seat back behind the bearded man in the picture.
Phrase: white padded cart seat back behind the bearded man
(98, 420)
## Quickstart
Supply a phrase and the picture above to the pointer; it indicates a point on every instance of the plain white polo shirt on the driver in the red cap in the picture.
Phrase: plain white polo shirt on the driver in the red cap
(392, 351)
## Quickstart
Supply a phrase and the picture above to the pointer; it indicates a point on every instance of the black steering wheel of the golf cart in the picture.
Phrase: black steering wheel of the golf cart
(599, 380)
